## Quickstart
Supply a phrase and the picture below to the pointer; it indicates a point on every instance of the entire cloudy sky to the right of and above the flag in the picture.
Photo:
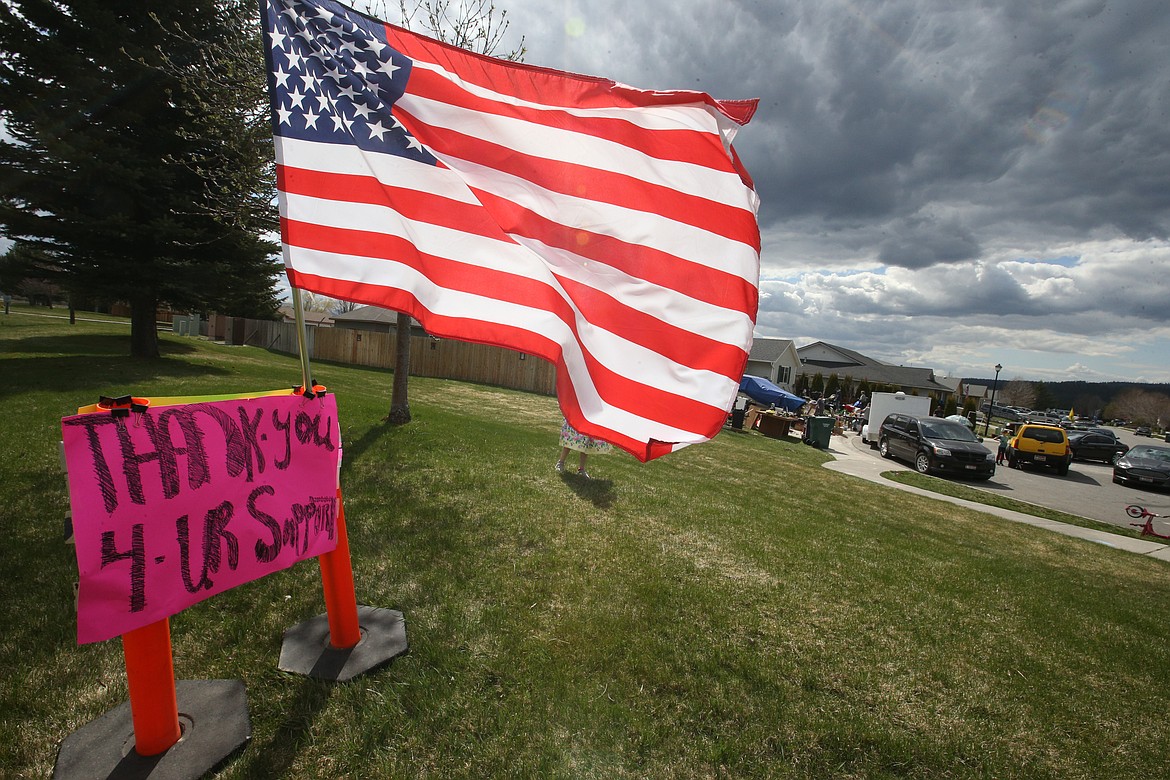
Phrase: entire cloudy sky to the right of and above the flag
(944, 184)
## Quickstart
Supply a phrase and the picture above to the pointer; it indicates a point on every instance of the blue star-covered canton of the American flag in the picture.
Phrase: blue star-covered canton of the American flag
(334, 79)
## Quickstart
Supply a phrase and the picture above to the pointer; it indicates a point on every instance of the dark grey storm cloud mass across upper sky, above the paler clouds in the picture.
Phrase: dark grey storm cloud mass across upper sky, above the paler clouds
(1055, 115)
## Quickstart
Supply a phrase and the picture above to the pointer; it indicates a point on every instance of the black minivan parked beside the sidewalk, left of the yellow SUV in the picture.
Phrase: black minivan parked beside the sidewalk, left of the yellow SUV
(934, 445)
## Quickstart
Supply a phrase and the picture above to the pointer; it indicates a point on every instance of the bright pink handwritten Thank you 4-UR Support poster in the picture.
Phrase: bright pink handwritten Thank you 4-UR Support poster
(178, 503)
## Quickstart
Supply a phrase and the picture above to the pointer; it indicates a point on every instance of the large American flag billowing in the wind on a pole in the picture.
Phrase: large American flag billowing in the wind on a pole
(609, 230)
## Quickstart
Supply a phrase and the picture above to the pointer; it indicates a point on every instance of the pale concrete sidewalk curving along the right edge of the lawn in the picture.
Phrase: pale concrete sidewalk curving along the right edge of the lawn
(854, 458)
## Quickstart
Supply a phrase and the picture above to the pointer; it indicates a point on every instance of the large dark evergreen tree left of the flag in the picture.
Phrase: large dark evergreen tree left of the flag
(130, 163)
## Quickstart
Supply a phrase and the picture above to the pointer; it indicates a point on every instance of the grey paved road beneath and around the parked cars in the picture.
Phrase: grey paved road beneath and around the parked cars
(1088, 491)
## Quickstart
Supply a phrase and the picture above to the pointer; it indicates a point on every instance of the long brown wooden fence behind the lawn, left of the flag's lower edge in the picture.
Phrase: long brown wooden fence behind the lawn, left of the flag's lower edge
(430, 357)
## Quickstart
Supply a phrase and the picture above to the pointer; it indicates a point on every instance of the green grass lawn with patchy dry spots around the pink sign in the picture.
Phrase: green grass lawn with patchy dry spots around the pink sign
(731, 611)
